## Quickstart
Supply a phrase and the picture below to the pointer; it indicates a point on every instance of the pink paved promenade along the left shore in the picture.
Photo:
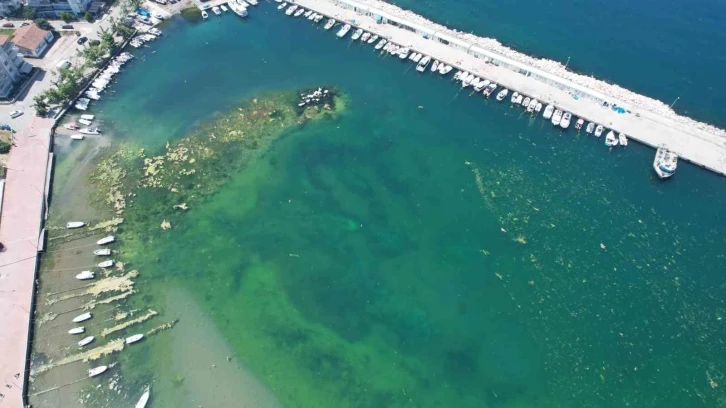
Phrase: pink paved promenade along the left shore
(20, 224)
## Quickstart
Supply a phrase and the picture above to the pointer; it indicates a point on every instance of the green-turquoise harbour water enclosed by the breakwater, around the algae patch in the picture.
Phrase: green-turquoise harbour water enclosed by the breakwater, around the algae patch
(428, 248)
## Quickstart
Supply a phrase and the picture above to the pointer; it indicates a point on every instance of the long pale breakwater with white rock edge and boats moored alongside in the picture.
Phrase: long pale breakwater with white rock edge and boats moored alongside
(641, 118)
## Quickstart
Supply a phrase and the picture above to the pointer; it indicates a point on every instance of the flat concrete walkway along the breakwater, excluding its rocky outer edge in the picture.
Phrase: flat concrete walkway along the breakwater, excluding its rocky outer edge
(696, 145)
